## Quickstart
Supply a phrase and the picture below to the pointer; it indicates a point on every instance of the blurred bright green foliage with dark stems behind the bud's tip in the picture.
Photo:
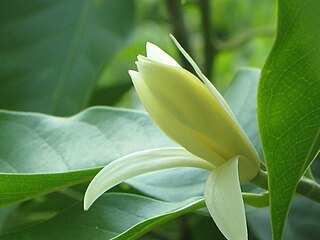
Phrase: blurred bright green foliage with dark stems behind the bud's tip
(222, 36)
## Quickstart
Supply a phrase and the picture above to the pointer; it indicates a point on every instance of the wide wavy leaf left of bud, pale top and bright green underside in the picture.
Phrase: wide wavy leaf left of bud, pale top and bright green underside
(66, 151)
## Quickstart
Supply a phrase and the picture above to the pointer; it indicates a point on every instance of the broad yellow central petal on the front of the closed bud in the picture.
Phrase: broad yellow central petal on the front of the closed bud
(187, 99)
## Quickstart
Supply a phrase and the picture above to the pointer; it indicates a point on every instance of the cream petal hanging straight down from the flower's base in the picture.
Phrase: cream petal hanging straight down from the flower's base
(224, 201)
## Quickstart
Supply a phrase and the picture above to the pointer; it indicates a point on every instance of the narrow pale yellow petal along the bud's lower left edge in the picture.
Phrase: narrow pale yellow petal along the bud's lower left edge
(192, 140)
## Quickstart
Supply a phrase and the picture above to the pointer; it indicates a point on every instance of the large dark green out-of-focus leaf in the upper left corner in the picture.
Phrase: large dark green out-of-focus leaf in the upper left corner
(52, 51)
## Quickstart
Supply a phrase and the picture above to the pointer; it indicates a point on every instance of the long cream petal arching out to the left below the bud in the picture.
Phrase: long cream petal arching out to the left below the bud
(139, 163)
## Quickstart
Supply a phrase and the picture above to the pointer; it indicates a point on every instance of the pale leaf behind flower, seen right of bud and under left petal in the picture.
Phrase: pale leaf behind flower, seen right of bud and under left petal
(183, 183)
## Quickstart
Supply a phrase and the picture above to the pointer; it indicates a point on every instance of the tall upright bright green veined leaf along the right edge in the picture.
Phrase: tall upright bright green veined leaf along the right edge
(289, 104)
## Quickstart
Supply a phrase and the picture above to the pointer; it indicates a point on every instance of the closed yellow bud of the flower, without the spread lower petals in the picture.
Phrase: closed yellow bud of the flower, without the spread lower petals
(184, 109)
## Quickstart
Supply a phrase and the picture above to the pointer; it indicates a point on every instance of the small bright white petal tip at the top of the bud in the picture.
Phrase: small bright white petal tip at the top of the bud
(157, 54)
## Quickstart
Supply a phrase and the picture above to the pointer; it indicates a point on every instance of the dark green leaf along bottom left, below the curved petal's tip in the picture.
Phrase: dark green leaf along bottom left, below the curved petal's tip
(113, 216)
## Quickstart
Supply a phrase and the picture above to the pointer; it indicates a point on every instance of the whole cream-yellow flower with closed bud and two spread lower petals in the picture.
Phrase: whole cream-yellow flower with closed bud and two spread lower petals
(194, 114)
